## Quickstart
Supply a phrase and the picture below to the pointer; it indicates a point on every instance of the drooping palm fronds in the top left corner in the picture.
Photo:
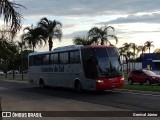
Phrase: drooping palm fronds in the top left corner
(7, 9)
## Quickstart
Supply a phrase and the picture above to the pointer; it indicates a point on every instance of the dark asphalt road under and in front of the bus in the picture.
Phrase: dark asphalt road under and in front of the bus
(23, 96)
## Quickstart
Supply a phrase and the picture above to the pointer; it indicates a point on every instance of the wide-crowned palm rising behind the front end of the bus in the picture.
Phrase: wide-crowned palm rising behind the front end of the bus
(102, 34)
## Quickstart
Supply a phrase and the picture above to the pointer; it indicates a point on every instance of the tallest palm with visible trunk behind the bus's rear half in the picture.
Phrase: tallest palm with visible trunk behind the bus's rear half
(51, 30)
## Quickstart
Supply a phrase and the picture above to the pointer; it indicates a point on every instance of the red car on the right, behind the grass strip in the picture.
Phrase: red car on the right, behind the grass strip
(143, 76)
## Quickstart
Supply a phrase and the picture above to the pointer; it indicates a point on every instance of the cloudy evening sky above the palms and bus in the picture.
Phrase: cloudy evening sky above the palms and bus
(135, 21)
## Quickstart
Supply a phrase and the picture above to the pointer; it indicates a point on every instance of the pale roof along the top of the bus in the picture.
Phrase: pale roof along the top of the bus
(70, 47)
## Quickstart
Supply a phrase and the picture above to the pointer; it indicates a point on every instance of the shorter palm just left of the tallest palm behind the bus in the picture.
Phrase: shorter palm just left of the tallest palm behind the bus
(33, 37)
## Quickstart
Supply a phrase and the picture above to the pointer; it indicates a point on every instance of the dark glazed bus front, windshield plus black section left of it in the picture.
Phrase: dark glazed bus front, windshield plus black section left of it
(101, 62)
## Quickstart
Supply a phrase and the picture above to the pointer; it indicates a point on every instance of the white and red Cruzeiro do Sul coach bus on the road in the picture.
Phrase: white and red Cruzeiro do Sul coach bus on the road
(92, 67)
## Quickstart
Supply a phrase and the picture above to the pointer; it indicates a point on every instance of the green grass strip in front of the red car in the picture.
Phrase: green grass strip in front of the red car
(153, 88)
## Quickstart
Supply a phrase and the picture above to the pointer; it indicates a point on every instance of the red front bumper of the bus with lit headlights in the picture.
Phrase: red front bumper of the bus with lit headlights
(109, 83)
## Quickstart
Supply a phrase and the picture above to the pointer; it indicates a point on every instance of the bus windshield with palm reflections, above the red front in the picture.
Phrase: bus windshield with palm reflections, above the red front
(108, 62)
